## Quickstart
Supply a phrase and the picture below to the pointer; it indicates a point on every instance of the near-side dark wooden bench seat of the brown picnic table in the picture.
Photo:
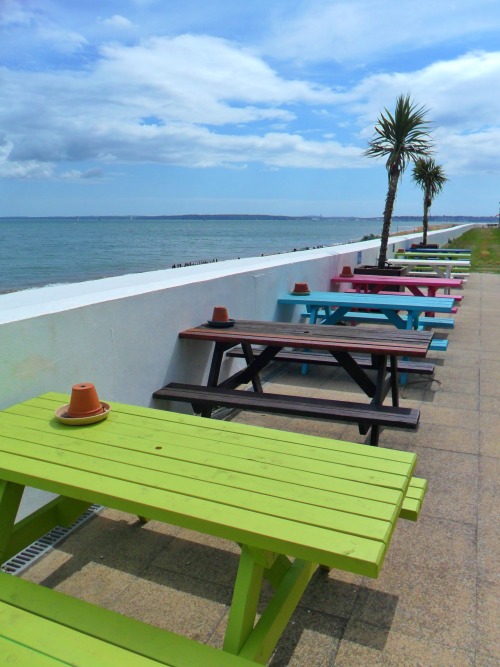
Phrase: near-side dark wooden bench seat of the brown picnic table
(365, 415)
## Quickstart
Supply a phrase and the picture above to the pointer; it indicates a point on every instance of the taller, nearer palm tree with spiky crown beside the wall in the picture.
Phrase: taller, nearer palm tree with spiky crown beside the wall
(401, 138)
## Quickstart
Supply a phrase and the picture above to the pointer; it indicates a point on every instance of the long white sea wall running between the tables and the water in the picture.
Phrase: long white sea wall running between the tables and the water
(122, 333)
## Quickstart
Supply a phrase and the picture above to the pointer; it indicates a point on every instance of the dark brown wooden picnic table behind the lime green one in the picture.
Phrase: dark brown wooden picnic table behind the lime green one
(383, 344)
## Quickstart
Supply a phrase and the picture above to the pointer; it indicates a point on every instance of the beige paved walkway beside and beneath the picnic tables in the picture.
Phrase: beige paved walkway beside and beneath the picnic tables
(435, 603)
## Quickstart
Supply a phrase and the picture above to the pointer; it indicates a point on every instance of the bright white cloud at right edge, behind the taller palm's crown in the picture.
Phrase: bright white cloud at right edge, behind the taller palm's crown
(463, 98)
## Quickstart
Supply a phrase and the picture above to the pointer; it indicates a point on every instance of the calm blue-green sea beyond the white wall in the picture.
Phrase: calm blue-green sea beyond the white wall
(42, 251)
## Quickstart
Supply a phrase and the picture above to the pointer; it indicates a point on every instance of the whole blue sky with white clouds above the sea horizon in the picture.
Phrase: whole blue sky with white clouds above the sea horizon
(265, 106)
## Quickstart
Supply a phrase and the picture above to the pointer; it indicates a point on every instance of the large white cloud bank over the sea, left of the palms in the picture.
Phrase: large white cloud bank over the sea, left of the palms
(187, 84)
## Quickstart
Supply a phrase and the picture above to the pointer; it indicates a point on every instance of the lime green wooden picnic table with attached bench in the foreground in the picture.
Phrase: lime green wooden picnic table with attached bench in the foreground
(290, 501)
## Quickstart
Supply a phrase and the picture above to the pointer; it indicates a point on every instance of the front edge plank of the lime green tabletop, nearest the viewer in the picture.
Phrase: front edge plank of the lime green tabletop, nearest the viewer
(311, 543)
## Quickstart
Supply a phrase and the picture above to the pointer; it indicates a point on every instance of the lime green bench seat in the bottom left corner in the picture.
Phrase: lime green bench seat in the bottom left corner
(41, 627)
